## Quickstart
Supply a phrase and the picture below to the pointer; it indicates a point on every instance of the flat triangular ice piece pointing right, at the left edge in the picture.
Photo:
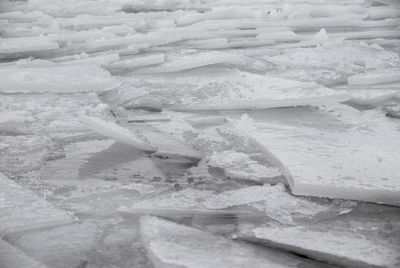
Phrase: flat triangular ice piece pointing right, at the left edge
(22, 210)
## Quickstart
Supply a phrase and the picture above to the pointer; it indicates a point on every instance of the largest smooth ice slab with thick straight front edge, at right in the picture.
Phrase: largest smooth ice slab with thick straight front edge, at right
(353, 155)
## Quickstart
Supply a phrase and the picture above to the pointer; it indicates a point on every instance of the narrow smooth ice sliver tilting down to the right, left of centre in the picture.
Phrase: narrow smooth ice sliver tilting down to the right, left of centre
(119, 133)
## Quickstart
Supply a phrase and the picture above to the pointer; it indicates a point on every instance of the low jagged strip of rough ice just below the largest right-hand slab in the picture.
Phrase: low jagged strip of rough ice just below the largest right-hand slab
(264, 202)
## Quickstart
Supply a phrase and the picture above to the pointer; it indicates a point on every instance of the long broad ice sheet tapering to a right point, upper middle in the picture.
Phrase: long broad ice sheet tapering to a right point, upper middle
(219, 89)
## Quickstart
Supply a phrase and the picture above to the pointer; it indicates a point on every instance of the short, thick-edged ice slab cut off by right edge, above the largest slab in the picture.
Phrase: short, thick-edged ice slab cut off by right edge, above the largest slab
(375, 77)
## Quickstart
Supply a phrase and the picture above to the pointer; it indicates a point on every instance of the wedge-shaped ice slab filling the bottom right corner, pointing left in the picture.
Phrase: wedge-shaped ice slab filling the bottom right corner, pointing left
(366, 237)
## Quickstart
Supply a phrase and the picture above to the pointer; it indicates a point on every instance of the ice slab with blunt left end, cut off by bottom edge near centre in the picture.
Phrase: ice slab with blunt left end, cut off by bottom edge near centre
(174, 245)
